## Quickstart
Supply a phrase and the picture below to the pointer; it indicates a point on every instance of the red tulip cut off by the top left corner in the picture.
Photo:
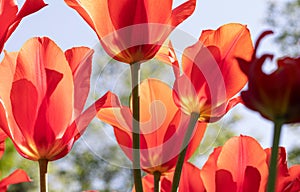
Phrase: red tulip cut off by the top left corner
(10, 17)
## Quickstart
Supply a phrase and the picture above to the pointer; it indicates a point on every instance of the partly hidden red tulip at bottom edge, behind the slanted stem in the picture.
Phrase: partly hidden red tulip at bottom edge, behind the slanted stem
(190, 182)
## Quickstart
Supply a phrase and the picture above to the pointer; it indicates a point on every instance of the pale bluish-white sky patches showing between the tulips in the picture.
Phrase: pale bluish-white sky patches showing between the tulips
(63, 25)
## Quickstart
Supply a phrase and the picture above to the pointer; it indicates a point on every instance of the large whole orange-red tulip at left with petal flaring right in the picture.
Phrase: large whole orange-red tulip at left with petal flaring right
(43, 92)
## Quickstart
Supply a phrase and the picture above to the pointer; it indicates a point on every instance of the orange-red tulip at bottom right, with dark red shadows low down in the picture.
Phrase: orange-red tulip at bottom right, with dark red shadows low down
(239, 166)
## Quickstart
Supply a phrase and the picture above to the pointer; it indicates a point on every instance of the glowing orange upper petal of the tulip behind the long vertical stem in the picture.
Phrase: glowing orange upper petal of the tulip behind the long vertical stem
(157, 109)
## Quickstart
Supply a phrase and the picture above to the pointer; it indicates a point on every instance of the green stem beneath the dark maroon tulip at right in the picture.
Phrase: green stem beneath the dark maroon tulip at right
(274, 154)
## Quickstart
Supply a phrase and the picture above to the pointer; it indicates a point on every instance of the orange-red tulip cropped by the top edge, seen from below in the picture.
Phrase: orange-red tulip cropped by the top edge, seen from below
(132, 30)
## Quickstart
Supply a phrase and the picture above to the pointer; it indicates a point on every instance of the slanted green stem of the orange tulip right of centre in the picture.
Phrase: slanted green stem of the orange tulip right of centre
(193, 120)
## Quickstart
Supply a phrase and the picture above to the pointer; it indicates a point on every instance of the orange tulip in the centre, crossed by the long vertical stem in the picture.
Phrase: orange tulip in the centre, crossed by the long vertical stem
(162, 127)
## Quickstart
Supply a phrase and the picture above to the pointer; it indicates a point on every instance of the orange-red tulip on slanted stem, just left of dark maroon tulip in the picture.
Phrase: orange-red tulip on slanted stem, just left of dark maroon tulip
(211, 75)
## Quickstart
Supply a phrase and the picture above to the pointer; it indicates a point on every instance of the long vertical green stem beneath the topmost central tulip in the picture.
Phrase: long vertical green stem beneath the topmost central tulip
(135, 77)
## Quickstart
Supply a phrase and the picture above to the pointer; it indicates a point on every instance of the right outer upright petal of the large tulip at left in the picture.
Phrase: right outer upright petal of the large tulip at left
(80, 60)
